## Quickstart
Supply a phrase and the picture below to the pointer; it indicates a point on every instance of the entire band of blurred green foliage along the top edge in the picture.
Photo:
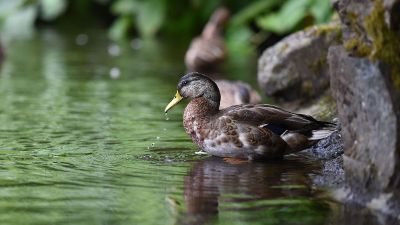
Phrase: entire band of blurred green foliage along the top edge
(172, 17)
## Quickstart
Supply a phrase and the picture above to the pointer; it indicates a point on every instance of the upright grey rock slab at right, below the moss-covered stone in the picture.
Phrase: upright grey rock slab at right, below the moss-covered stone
(368, 108)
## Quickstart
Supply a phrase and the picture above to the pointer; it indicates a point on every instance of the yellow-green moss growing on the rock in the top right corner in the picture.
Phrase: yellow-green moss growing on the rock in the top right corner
(385, 42)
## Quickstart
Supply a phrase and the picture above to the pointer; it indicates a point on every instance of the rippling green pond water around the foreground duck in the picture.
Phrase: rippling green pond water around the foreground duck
(78, 146)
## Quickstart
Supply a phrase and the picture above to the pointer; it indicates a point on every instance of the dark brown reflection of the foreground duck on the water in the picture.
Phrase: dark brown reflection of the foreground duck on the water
(213, 181)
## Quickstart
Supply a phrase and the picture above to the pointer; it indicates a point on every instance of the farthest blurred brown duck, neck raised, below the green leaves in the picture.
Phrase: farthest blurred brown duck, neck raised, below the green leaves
(207, 51)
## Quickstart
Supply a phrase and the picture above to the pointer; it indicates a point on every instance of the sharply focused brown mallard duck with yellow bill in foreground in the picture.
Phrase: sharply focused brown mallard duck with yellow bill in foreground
(246, 131)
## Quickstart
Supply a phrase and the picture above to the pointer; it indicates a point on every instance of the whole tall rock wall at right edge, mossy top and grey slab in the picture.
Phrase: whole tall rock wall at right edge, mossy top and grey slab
(365, 81)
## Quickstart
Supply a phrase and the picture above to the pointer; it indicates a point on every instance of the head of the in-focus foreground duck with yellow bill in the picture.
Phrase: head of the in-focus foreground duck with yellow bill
(196, 85)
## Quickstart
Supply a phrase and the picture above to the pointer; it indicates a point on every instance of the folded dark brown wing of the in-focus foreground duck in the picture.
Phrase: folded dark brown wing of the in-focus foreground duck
(274, 118)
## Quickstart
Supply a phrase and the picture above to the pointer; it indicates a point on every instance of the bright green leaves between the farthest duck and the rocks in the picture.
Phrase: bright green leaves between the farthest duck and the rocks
(274, 16)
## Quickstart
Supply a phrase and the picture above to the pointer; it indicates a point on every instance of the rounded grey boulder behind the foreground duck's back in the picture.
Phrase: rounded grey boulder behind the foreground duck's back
(296, 67)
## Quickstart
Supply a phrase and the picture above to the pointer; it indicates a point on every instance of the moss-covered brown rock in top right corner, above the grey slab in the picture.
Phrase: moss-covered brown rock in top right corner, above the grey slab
(371, 29)
